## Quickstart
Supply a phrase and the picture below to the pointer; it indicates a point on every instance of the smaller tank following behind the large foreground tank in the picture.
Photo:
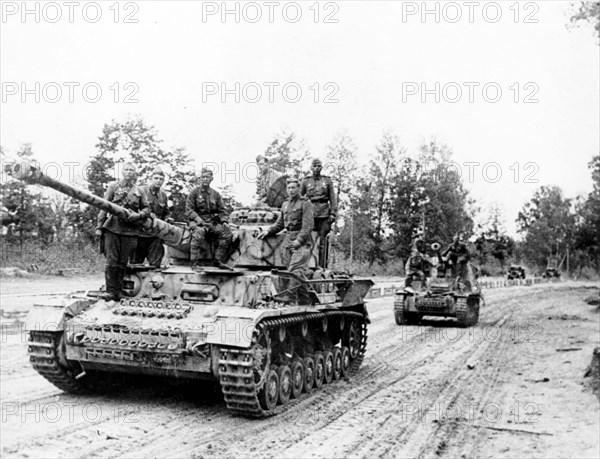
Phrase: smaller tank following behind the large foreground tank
(438, 293)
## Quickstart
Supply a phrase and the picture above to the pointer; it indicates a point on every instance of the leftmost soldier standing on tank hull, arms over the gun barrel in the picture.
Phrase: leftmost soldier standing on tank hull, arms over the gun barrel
(120, 236)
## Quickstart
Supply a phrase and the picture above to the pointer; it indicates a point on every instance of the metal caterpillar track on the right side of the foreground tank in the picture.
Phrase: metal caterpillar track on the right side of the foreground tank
(235, 365)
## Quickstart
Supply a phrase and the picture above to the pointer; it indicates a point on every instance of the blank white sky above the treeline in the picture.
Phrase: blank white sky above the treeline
(369, 53)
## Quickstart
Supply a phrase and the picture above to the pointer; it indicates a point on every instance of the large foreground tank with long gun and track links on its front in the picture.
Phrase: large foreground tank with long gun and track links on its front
(264, 334)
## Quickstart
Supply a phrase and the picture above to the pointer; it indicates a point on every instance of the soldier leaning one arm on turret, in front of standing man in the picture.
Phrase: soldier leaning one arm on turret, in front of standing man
(297, 218)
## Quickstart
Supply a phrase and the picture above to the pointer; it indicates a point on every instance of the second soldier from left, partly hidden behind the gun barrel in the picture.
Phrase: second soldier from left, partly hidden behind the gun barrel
(152, 247)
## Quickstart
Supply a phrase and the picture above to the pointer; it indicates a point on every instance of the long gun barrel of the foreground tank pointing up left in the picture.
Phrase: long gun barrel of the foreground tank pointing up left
(172, 235)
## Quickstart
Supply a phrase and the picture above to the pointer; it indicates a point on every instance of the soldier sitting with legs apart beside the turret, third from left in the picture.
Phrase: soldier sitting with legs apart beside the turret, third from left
(207, 216)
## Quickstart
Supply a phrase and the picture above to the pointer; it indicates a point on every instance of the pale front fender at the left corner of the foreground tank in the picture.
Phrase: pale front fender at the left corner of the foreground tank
(52, 313)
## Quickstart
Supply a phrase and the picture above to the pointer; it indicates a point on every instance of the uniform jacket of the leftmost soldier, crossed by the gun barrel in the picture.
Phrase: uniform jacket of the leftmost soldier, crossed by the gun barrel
(129, 196)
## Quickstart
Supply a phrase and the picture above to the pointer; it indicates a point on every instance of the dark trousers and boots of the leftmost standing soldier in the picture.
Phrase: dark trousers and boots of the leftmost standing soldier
(118, 249)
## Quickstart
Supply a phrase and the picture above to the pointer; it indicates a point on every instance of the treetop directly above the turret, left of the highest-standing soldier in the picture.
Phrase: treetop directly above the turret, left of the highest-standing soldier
(287, 154)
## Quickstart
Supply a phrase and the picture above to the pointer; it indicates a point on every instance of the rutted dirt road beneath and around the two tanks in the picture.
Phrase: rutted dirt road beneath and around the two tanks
(512, 386)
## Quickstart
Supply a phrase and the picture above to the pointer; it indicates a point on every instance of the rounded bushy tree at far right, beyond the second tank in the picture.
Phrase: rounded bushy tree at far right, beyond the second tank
(547, 223)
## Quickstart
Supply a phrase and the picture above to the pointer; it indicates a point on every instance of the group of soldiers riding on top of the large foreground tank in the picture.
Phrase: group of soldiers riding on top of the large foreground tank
(311, 204)
